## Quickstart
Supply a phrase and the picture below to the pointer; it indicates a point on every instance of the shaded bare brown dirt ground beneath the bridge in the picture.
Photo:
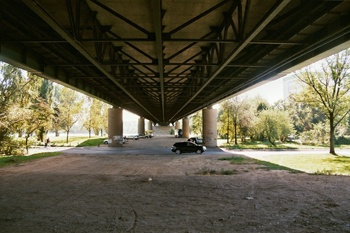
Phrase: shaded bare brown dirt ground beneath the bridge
(106, 192)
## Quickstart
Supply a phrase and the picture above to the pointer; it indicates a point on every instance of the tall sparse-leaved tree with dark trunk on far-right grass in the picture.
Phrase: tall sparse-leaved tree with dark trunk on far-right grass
(329, 90)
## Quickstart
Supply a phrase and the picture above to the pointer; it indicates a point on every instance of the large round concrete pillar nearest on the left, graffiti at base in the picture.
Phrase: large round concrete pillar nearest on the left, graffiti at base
(115, 127)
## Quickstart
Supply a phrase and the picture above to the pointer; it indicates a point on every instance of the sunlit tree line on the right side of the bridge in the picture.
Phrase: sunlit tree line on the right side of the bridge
(317, 114)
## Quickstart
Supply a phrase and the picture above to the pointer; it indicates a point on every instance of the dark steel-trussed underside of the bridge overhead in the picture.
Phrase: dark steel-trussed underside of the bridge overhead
(166, 59)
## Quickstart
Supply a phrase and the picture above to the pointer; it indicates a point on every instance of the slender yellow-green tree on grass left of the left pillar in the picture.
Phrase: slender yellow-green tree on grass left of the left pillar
(70, 107)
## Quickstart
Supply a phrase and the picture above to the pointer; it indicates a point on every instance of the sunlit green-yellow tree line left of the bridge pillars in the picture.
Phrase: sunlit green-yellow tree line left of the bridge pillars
(31, 106)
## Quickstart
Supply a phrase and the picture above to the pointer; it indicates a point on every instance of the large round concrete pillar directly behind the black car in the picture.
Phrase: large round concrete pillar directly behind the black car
(210, 130)
